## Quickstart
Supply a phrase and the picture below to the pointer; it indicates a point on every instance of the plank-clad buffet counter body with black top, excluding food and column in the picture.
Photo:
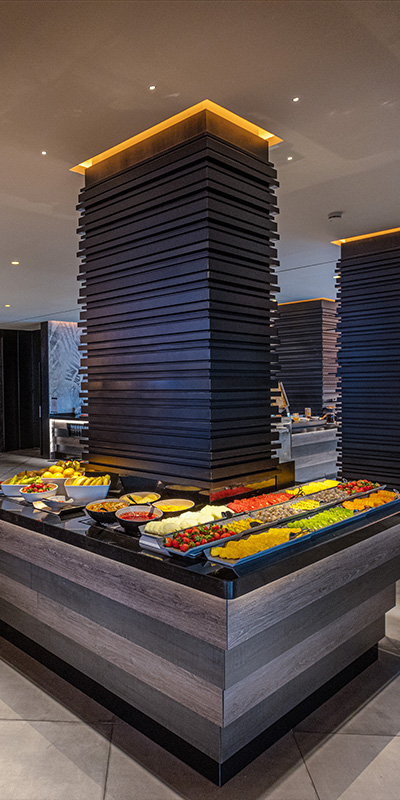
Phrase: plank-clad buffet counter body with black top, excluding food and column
(212, 662)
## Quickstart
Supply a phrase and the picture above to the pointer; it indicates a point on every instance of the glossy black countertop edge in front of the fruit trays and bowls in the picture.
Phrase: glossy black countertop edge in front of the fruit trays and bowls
(75, 529)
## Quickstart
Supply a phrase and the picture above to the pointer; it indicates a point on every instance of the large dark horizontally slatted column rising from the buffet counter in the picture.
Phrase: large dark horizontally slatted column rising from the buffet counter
(177, 296)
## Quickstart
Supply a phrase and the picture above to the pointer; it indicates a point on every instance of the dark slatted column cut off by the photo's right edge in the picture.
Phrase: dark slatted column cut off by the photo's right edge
(369, 358)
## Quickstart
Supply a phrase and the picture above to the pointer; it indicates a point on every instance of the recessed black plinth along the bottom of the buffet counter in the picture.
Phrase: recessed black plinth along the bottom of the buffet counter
(211, 769)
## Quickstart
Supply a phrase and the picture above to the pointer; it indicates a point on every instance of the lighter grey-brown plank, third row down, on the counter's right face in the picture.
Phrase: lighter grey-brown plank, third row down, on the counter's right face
(254, 688)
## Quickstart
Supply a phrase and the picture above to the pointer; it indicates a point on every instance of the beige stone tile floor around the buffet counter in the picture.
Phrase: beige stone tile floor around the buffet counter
(57, 744)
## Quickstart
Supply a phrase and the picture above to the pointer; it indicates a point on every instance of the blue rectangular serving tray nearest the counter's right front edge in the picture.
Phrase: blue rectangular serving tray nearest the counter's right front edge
(301, 537)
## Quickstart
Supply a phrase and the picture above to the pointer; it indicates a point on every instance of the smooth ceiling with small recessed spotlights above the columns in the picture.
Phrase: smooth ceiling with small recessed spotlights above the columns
(75, 78)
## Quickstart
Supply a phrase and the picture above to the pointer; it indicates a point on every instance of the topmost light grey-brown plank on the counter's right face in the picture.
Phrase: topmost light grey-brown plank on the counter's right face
(257, 610)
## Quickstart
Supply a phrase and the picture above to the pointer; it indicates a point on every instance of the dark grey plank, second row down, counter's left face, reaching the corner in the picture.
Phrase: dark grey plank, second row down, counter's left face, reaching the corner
(179, 648)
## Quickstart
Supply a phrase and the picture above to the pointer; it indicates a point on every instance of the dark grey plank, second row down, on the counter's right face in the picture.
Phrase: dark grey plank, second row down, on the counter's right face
(248, 656)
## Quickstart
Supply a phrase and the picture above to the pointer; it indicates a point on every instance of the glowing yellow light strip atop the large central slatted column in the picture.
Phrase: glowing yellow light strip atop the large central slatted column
(205, 105)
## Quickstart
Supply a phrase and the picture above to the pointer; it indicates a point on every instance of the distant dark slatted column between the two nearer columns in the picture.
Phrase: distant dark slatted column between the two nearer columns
(307, 353)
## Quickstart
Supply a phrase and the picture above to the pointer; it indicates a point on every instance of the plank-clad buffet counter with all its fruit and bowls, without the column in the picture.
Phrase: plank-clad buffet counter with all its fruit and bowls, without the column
(211, 625)
